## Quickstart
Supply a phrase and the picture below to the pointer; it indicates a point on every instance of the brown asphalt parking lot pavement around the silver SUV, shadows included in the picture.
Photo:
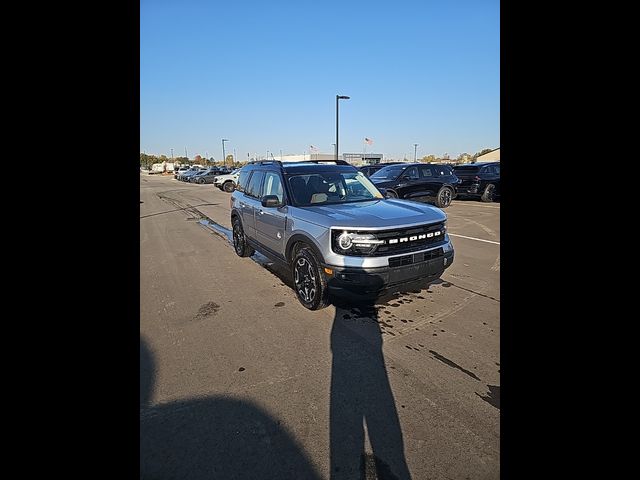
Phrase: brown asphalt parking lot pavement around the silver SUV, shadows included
(238, 380)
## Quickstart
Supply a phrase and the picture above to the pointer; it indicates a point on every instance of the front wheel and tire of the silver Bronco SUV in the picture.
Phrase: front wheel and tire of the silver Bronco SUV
(309, 280)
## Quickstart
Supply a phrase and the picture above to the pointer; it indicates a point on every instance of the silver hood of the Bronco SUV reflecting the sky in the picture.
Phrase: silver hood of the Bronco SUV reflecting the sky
(372, 214)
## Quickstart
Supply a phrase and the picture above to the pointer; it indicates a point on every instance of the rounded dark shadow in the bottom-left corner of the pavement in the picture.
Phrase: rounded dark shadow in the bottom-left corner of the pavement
(213, 437)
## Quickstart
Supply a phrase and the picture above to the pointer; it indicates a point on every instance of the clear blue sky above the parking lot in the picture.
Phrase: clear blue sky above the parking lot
(265, 74)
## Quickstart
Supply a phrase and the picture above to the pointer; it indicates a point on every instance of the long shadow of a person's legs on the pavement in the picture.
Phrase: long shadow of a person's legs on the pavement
(361, 395)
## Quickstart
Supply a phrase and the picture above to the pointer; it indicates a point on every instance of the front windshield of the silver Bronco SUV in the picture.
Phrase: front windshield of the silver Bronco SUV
(331, 188)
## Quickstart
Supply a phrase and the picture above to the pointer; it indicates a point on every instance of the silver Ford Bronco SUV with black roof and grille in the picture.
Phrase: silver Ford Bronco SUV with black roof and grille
(335, 230)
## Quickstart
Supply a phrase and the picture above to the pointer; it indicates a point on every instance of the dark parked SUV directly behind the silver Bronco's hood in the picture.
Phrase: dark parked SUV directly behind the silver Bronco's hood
(418, 181)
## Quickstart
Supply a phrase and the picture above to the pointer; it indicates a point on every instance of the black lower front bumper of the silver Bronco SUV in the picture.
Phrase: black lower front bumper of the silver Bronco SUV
(368, 283)
